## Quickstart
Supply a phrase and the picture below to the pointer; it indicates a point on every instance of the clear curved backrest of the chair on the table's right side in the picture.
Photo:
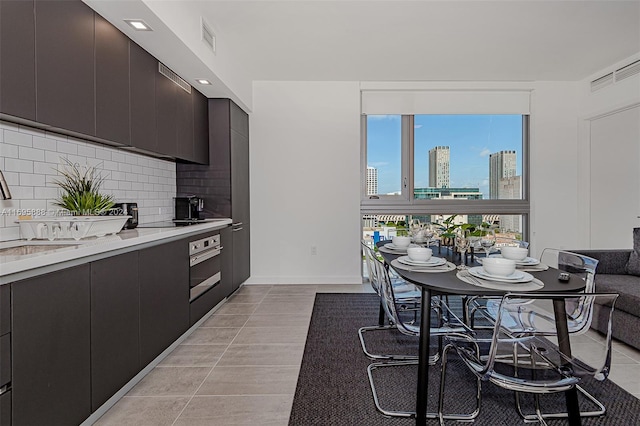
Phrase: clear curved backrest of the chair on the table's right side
(577, 265)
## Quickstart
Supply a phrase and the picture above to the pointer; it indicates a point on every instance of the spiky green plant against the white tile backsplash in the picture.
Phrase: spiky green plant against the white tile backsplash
(81, 190)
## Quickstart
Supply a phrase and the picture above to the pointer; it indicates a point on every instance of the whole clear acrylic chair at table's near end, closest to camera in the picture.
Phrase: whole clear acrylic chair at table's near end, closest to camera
(525, 338)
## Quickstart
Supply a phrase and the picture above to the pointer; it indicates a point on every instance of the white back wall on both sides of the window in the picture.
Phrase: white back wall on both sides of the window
(305, 180)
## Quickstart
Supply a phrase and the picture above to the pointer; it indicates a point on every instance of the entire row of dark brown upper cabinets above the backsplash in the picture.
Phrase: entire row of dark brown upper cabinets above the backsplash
(64, 66)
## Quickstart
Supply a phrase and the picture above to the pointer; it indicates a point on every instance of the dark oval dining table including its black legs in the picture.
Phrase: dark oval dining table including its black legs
(446, 282)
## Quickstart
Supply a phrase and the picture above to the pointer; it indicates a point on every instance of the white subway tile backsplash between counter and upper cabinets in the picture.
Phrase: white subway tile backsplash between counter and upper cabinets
(29, 159)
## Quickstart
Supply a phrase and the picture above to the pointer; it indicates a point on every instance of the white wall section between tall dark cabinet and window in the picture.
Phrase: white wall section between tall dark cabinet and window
(305, 183)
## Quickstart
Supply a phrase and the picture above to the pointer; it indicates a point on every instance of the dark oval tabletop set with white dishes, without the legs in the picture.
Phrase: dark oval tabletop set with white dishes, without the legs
(448, 283)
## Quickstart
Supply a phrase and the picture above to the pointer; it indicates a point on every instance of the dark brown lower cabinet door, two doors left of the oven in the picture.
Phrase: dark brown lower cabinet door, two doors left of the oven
(115, 311)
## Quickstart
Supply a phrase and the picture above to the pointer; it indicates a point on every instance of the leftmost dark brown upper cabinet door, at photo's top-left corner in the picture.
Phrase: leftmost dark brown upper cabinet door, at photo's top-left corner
(17, 59)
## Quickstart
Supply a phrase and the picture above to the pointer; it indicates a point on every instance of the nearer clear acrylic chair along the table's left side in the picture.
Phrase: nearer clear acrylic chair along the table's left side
(390, 306)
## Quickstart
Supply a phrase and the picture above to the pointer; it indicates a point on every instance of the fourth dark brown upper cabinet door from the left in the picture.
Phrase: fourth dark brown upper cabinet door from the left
(143, 68)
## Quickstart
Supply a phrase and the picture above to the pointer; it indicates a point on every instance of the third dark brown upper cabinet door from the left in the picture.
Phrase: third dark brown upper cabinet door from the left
(112, 82)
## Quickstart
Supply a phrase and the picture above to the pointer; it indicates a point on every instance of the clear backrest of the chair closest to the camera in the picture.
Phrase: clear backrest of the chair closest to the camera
(534, 333)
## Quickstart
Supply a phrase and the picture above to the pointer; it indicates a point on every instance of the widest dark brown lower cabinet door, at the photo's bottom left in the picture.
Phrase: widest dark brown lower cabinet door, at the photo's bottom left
(51, 380)
